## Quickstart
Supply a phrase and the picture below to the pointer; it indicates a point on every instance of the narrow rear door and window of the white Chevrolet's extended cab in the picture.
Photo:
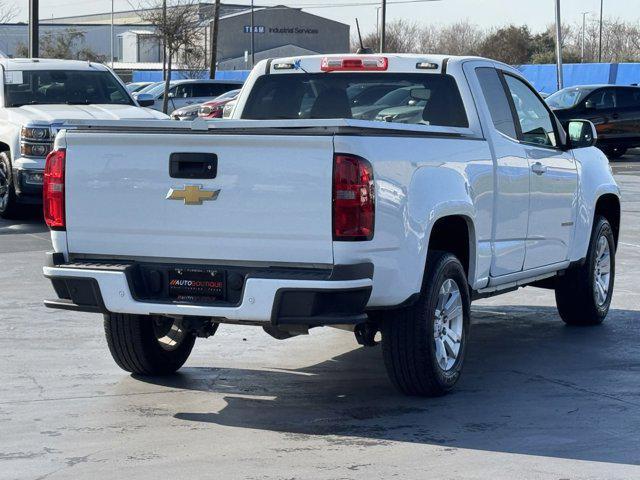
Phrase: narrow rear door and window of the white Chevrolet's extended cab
(511, 204)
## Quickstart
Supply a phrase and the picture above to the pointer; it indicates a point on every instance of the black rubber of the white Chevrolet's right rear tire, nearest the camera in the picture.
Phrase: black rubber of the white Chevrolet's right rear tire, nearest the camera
(408, 337)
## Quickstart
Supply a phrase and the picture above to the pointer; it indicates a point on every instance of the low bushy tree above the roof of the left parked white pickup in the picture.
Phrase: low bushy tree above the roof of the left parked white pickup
(68, 44)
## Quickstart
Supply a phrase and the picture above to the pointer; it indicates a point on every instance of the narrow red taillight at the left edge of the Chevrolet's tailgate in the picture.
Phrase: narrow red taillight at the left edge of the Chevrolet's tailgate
(53, 190)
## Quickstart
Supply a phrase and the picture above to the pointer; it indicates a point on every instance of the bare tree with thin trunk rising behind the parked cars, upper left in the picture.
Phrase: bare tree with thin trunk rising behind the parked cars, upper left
(179, 29)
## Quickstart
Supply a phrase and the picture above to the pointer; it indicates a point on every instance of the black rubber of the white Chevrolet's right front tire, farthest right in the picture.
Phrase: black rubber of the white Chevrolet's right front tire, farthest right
(577, 292)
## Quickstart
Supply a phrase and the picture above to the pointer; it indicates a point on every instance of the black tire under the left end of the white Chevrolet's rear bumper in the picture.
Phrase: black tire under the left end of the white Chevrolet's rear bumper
(135, 346)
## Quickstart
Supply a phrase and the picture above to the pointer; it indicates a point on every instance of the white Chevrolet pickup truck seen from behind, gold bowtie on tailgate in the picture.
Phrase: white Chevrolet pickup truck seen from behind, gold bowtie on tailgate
(375, 193)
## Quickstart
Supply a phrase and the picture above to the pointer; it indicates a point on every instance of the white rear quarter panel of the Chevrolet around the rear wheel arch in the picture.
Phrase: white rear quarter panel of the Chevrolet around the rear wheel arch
(418, 181)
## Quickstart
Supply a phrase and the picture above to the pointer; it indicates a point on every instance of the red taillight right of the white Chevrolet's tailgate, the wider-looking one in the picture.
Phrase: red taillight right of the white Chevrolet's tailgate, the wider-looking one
(353, 198)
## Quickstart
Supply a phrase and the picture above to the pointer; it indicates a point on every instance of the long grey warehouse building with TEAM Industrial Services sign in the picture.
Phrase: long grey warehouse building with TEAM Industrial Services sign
(278, 31)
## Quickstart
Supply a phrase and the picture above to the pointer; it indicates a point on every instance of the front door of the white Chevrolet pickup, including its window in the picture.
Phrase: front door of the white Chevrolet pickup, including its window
(553, 178)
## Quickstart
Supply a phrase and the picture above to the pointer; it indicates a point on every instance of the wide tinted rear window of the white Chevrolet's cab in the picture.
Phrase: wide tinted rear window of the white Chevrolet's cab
(427, 99)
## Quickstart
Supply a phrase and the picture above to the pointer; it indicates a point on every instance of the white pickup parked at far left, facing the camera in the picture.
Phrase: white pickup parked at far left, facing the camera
(39, 97)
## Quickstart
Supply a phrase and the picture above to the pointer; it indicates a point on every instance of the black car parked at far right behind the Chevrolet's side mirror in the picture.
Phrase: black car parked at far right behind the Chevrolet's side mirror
(614, 110)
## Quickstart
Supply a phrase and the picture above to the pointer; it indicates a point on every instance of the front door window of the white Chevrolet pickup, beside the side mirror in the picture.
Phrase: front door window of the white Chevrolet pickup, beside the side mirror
(536, 124)
